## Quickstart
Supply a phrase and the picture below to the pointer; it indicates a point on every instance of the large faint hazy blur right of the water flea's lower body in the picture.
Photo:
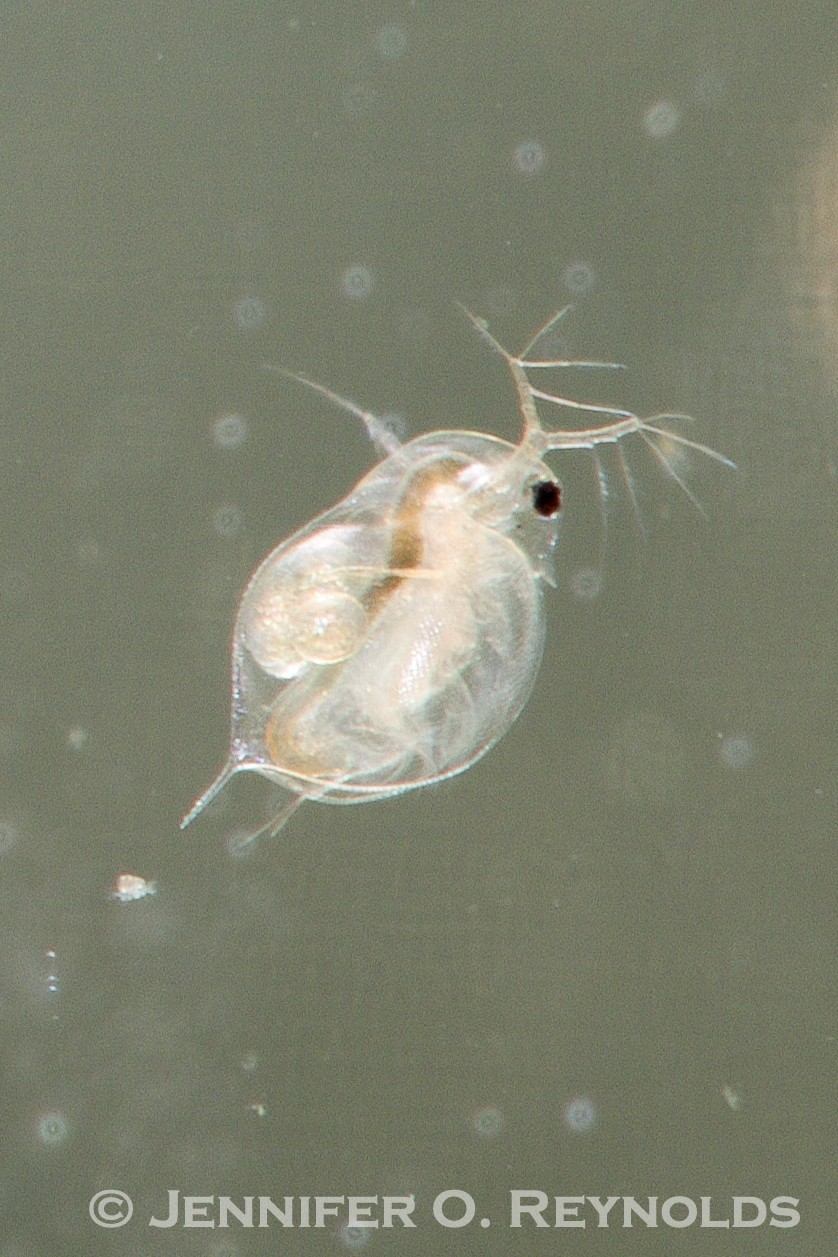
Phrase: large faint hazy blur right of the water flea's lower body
(645, 761)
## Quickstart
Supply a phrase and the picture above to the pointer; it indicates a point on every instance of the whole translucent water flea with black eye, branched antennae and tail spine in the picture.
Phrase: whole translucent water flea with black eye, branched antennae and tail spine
(391, 642)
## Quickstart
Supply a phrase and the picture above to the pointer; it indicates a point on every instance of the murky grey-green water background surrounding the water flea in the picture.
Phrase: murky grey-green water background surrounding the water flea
(631, 901)
